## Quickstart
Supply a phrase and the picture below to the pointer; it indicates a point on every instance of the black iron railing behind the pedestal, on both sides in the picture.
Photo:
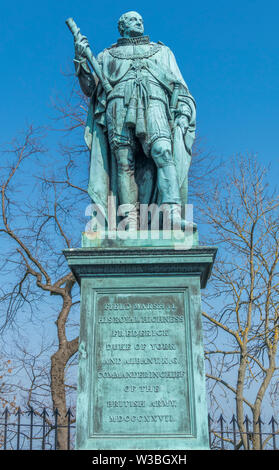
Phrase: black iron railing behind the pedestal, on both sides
(42, 430)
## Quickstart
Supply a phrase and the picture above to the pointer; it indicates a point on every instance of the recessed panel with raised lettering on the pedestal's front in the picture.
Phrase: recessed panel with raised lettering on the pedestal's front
(141, 364)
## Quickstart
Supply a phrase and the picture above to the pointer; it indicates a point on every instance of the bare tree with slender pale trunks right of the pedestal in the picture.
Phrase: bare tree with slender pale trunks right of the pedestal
(242, 321)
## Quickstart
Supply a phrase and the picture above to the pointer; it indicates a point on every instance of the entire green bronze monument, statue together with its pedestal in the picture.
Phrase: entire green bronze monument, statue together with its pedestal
(141, 378)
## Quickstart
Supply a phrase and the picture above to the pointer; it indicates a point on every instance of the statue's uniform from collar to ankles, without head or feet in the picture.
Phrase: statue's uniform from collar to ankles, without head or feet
(137, 112)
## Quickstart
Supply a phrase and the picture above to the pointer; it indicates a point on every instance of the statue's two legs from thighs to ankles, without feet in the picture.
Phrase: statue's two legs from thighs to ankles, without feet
(156, 143)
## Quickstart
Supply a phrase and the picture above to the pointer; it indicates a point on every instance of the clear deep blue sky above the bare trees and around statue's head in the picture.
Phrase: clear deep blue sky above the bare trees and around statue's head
(227, 52)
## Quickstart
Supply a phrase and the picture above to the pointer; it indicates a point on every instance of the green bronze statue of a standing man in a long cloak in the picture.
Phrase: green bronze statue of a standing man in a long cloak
(141, 132)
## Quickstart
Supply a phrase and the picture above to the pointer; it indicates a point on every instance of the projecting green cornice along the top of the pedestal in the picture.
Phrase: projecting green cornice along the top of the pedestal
(117, 261)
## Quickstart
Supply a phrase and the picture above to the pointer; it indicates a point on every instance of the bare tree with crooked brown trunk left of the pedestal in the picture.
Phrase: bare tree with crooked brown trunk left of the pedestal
(37, 222)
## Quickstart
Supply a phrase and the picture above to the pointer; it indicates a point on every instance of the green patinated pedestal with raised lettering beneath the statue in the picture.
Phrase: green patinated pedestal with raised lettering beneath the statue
(141, 372)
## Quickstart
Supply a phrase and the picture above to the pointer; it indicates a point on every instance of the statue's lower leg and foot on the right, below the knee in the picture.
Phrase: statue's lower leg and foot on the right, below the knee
(169, 189)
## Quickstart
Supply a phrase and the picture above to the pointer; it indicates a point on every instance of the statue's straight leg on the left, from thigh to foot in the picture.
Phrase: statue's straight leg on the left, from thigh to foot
(127, 187)
